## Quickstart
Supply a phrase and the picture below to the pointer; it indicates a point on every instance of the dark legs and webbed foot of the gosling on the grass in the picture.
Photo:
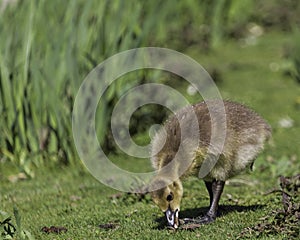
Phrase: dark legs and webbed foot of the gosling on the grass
(215, 190)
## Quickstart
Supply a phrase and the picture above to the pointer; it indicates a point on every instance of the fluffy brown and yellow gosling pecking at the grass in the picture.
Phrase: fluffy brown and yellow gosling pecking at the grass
(244, 137)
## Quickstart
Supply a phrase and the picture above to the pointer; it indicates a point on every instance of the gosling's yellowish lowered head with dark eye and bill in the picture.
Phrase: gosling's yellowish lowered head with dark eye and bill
(168, 200)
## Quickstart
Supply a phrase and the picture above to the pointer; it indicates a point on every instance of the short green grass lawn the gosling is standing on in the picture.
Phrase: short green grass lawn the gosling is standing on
(71, 197)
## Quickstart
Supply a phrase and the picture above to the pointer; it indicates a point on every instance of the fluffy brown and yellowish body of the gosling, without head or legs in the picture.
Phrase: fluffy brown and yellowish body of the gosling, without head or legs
(246, 133)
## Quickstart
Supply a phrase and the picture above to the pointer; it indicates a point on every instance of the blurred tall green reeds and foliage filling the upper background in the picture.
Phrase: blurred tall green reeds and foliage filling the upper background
(48, 47)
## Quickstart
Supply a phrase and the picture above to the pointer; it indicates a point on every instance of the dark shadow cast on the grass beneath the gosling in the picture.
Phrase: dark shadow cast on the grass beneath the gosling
(196, 212)
